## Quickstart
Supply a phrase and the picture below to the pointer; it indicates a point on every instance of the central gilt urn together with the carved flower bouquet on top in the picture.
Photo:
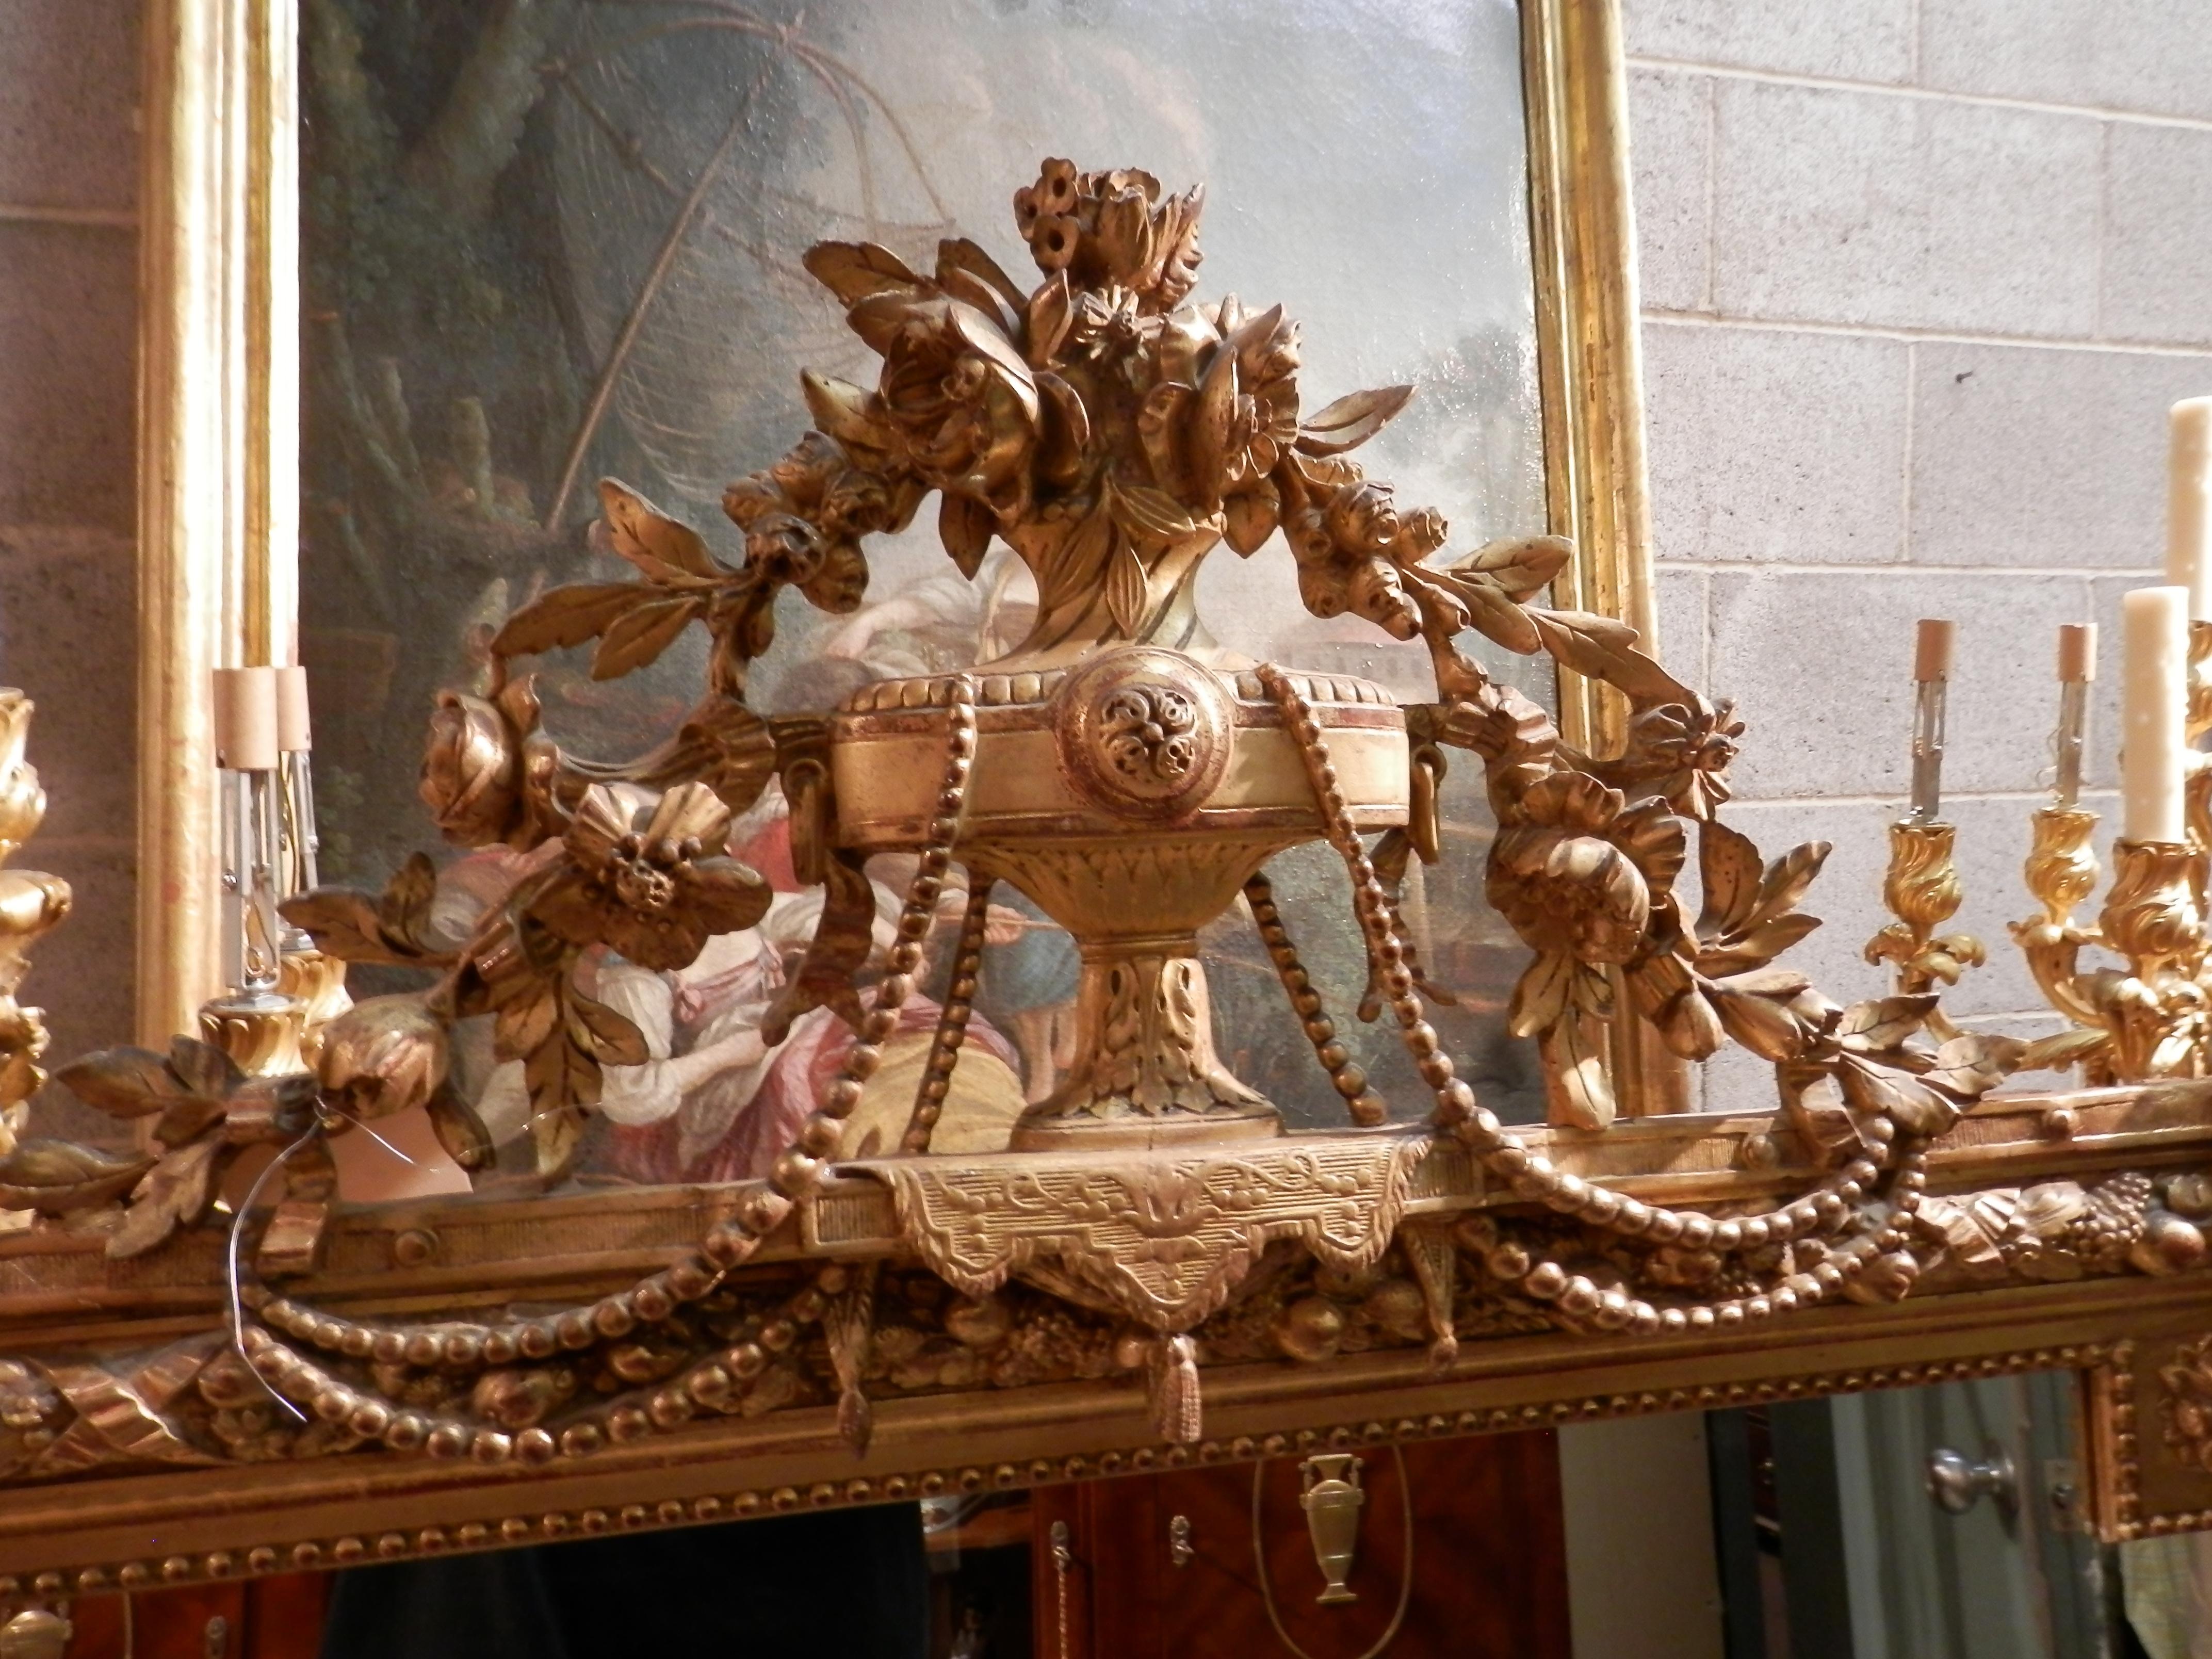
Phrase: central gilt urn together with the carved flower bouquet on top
(1129, 775)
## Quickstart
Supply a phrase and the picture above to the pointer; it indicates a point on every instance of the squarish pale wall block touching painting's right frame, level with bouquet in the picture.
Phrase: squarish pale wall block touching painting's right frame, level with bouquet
(1775, 446)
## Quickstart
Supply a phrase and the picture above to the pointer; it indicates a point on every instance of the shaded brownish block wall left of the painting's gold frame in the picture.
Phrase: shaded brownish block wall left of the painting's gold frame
(70, 158)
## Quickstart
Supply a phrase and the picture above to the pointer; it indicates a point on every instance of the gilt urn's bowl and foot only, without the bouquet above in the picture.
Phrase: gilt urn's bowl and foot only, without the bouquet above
(1129, 797)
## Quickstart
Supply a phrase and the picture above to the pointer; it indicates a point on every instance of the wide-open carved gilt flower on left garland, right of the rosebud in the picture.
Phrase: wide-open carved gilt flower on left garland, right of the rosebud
(651, 881)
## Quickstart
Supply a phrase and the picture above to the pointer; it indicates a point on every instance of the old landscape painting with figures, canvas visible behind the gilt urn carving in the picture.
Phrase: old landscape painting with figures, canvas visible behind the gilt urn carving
(545, 253)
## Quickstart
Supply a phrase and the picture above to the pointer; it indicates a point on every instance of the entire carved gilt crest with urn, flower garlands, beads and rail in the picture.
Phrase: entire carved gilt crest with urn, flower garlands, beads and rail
(1151, 1233)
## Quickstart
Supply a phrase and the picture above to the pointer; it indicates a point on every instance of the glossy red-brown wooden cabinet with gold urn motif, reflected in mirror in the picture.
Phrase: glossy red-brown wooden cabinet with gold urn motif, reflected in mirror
(1459, 1552)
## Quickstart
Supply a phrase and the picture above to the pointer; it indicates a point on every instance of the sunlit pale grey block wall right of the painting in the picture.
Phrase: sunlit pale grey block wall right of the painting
(1921, 280)
